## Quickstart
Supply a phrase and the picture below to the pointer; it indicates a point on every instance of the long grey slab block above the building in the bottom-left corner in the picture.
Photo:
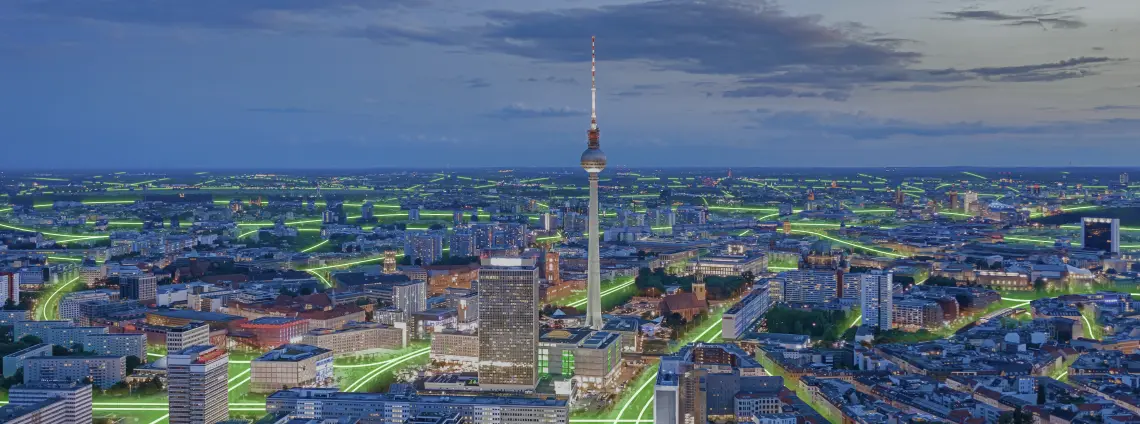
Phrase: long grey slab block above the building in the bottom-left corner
(103, 371)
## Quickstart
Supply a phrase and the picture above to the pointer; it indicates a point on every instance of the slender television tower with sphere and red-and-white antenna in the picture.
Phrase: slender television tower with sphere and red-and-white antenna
(593, 161)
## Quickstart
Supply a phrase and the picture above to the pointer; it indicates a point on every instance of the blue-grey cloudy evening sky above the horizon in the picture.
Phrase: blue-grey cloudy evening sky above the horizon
(460, 84)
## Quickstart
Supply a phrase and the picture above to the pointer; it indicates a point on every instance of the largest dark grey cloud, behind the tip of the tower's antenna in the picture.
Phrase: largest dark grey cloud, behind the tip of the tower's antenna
(719, 37)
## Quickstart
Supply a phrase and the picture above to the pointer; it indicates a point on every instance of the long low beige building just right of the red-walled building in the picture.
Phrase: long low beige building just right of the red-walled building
(357, 338)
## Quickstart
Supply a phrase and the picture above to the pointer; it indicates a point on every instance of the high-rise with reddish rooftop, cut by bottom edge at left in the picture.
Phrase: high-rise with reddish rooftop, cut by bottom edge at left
(198, 386)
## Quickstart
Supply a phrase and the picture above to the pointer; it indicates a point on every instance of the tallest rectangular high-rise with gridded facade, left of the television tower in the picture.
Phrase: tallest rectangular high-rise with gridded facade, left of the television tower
(509, 323)
